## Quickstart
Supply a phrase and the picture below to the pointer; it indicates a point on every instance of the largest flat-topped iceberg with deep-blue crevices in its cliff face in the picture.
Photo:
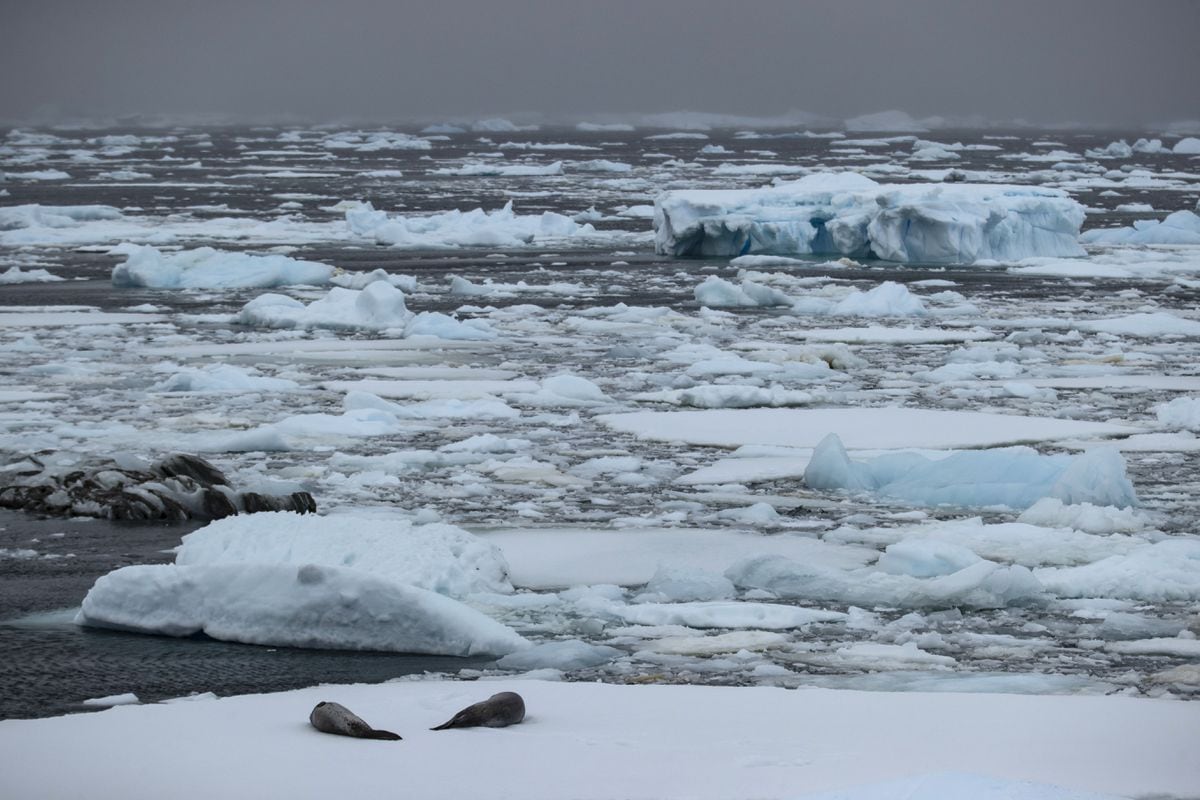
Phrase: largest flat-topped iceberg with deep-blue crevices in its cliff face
(845, 214)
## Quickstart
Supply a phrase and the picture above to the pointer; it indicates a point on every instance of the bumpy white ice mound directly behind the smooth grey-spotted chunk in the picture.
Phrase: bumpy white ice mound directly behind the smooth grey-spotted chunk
(437, 557)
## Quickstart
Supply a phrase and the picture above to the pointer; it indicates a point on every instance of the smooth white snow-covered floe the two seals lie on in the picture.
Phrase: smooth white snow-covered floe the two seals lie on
(607, 742)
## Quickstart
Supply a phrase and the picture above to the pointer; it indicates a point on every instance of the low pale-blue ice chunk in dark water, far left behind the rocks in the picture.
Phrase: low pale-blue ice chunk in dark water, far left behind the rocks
(212, 269)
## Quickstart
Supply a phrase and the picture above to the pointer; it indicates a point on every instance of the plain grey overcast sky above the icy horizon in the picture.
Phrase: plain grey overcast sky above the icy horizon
(1047, 61)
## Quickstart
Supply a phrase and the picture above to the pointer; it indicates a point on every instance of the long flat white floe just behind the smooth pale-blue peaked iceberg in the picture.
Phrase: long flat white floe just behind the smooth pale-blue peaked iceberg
(860, 429)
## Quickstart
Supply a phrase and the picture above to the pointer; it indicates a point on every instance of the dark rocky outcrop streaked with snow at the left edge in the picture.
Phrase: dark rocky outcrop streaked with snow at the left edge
(178, 488)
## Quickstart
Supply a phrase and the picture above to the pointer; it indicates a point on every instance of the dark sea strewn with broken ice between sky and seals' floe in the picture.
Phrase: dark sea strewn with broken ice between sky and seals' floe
(511, 435)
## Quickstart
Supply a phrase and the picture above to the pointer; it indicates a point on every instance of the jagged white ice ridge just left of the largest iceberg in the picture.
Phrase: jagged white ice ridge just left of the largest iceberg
(500, 228)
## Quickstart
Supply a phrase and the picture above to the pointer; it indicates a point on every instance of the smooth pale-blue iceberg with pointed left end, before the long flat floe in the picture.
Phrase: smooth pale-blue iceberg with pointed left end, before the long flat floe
(1006, 477)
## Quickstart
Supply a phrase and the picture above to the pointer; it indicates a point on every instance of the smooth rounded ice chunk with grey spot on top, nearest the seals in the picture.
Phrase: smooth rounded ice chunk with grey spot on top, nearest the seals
(287, 606)
